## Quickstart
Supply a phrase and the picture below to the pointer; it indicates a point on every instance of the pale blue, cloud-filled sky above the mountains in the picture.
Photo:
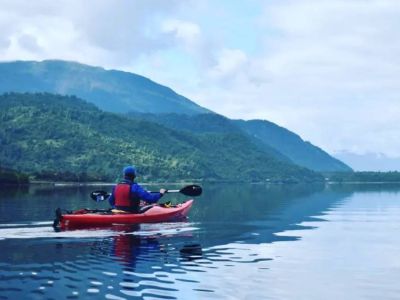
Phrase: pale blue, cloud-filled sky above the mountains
(328, 70)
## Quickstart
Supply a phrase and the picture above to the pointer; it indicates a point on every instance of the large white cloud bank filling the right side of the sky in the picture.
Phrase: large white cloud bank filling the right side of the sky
(328, 70)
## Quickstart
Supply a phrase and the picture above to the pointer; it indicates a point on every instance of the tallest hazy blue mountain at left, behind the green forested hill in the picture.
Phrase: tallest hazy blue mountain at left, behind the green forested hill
(110, 90)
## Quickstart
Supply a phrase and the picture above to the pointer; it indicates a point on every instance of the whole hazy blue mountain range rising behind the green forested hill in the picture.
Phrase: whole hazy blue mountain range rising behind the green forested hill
(122, 92)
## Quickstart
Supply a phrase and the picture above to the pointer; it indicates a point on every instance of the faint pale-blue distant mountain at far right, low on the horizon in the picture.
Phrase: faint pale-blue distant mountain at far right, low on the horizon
(369, 161)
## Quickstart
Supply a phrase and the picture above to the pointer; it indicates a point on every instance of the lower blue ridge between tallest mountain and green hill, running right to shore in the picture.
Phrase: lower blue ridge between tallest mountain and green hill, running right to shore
(273, 139)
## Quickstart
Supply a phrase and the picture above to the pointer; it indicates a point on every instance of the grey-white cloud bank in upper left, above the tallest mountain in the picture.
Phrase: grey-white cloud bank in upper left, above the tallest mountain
(111, 33)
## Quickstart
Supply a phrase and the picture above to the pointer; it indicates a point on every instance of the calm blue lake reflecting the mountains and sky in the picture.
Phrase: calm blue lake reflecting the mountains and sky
(248, 242)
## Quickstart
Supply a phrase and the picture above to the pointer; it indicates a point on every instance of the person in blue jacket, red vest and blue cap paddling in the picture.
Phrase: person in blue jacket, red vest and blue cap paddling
(127, 194)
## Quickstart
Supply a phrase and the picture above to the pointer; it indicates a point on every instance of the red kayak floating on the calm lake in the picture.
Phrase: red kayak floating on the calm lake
(155, 214)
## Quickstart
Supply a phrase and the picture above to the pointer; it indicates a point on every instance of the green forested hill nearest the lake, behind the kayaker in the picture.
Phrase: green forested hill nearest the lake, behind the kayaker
(65, 138)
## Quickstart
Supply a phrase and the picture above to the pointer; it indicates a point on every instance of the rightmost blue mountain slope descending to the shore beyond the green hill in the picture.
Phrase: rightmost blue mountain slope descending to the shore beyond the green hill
(301, 152)
